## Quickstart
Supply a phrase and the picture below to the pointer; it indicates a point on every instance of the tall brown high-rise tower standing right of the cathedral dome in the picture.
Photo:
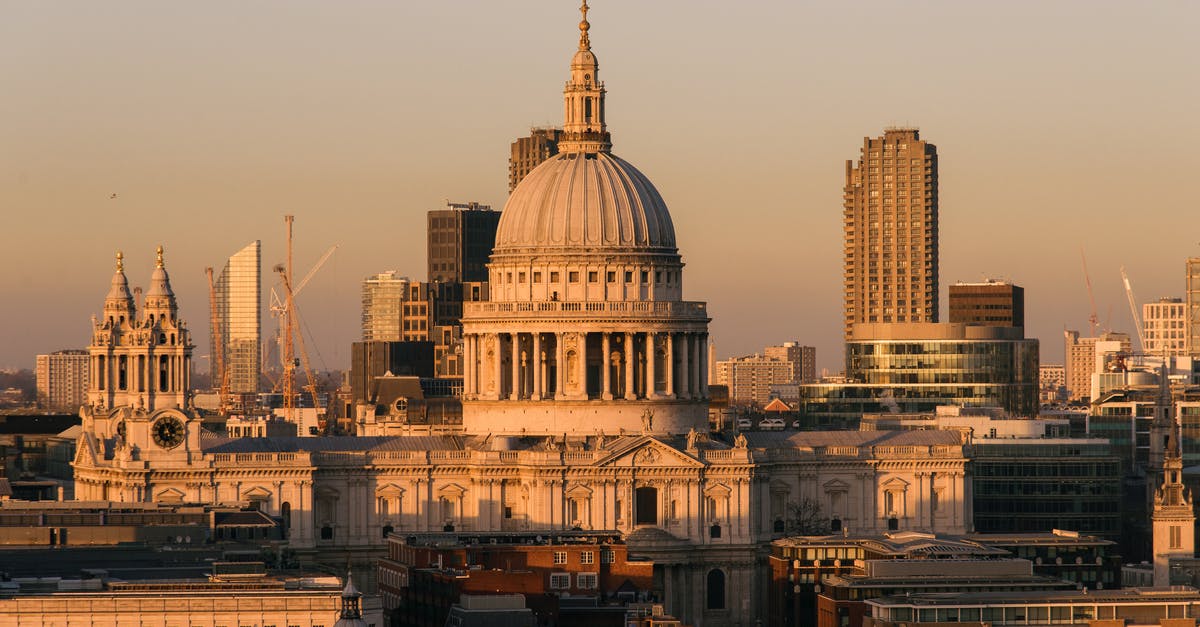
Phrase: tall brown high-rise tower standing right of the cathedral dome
(891, 230)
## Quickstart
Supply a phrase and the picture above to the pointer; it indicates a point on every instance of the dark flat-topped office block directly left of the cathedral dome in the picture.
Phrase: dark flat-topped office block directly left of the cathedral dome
(461, 240)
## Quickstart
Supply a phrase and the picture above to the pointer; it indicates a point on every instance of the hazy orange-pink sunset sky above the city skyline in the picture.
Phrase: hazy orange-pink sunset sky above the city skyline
(1061, 128)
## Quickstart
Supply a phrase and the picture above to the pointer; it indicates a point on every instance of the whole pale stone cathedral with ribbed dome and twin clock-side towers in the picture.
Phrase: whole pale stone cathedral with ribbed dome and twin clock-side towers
(585, 405)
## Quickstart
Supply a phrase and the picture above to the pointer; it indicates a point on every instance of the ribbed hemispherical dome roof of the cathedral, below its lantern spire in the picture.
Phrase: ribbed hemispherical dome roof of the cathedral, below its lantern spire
(586, 202)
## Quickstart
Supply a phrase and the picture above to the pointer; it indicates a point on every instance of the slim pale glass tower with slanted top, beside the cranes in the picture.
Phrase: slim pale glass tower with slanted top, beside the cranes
(239, 303)
